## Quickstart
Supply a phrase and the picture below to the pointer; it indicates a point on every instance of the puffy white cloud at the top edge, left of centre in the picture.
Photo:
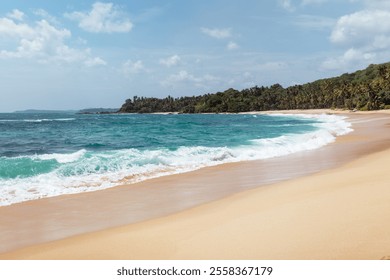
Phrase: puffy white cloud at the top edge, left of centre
(103, 18)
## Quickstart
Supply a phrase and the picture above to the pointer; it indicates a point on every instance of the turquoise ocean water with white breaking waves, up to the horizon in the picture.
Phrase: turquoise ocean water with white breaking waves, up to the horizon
(44, 155)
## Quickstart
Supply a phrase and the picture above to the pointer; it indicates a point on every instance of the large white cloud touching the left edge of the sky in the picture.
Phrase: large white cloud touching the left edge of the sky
(40, 41)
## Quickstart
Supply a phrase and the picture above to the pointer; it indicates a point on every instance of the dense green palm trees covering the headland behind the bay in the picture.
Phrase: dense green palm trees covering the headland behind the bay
(367, 89)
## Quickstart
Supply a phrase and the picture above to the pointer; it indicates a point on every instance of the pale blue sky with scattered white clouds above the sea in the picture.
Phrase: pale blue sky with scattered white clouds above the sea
(82, 54)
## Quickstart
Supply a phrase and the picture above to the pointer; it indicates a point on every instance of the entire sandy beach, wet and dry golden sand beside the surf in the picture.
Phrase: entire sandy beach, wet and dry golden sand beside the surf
(329, 203)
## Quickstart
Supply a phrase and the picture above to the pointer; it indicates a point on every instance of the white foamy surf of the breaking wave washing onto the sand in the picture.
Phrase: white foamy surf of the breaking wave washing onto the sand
(84, 170)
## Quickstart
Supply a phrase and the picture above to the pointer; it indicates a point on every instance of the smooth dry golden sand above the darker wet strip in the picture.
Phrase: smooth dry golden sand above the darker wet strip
(341, 213)
